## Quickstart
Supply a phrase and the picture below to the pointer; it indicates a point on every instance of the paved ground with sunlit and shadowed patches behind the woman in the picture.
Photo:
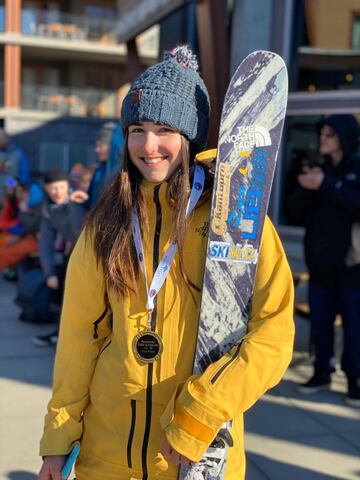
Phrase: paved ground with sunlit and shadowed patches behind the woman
(289, 437)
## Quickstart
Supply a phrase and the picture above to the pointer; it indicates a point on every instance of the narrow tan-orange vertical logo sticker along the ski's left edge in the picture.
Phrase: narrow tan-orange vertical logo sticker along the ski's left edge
(222, 193)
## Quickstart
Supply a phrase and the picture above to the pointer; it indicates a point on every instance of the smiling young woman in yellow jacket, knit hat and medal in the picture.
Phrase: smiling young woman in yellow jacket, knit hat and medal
(123, 380)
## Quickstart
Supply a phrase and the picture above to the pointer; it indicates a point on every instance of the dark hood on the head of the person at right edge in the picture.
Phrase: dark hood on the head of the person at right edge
(347, 129)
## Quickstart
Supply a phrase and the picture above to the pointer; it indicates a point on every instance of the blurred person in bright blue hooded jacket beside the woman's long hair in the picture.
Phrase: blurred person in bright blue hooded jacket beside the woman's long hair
(109, 145)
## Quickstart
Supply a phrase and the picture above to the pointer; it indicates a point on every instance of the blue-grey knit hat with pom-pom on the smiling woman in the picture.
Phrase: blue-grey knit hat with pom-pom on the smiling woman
(172, 93)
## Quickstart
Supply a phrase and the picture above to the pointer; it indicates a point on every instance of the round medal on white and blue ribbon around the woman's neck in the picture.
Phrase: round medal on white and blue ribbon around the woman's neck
(147, 346)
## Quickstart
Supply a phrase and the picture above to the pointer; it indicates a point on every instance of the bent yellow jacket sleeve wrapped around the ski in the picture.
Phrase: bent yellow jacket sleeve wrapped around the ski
(231, 385)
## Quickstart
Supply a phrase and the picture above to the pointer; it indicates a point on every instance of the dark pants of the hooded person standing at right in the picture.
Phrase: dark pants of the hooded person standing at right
(325, 303)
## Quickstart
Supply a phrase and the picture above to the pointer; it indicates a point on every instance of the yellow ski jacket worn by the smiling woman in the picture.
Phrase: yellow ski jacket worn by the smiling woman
(121, 409)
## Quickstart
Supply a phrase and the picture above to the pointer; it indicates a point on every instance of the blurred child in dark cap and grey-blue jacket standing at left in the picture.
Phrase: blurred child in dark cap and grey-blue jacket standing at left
(61, 223)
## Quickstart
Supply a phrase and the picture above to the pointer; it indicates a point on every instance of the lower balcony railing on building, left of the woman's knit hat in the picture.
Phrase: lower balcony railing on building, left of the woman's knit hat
(70, 101)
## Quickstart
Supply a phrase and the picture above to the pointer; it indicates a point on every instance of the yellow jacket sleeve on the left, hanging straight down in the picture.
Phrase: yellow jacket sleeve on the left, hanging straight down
(77, 350)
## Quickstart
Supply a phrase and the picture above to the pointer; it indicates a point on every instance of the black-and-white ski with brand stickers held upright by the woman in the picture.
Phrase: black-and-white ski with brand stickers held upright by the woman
(249, 138)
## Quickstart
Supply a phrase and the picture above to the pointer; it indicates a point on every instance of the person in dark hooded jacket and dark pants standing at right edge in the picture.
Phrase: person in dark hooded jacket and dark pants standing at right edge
(327, 202)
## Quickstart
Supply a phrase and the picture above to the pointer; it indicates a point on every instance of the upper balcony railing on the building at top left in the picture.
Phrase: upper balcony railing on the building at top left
(51, 23)
